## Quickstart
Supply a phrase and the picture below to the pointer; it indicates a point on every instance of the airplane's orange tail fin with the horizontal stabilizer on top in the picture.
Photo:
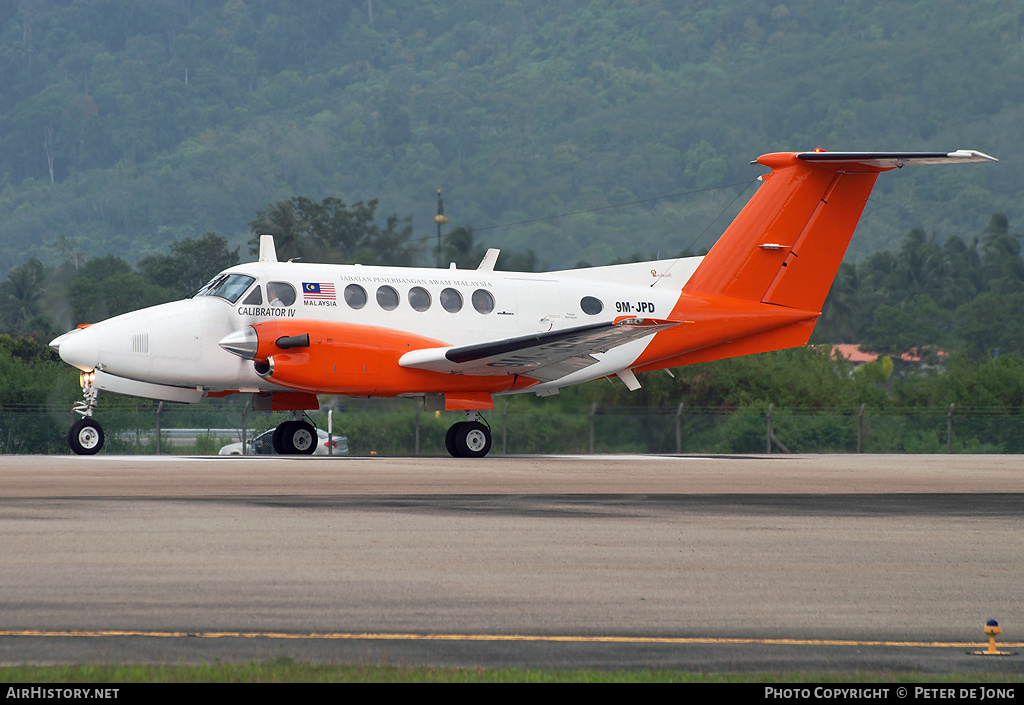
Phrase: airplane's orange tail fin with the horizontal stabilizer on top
(787, 244)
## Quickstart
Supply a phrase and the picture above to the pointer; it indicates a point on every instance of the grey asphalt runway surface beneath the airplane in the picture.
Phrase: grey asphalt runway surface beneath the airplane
(754, 563)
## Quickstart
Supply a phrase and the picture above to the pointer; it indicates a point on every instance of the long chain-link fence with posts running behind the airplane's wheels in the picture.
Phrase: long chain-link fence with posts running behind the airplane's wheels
(410, 431)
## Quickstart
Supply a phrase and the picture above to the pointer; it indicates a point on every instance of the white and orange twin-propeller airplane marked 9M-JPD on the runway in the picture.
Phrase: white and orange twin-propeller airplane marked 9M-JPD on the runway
(456, 339)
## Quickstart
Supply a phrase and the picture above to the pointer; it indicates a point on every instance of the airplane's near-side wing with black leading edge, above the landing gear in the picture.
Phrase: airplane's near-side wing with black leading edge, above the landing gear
(544, 357)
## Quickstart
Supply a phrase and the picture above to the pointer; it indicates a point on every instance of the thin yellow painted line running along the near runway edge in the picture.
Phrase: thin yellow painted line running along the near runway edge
(386, 637)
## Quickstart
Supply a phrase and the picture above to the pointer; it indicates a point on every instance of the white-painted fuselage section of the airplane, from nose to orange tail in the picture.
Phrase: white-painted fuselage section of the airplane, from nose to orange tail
(177, 345)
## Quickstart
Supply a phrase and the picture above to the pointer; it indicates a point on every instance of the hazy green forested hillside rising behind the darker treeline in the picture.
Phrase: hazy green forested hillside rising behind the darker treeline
(127, 126)
